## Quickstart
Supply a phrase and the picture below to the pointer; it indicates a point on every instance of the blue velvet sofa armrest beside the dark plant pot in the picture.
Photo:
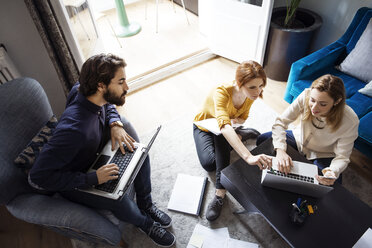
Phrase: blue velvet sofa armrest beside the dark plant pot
(313, 63)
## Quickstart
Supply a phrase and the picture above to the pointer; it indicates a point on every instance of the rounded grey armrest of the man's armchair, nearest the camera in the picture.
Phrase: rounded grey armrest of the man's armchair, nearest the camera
(70, 218)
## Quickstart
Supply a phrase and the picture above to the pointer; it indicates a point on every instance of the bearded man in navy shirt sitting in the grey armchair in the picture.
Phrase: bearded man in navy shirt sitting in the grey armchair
(88, 122)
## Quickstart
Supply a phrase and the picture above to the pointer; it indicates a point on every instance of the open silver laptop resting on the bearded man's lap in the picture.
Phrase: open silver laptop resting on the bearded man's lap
(129, 164)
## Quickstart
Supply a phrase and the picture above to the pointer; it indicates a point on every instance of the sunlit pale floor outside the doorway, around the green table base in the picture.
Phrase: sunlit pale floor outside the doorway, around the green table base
(145, 52)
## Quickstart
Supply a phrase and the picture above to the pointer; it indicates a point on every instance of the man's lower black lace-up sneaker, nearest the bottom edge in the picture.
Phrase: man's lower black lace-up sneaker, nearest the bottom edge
(159, 235)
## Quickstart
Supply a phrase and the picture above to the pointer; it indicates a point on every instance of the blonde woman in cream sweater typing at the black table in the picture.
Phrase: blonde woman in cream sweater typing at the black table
(327, 130)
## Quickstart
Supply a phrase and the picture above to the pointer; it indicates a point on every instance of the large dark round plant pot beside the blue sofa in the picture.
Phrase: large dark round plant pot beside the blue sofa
(287, 45)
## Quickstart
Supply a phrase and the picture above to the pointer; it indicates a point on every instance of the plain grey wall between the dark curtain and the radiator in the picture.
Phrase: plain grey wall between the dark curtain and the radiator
(22, 40)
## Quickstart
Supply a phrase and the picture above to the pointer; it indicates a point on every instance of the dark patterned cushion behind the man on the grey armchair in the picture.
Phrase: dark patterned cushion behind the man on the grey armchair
(27, 157)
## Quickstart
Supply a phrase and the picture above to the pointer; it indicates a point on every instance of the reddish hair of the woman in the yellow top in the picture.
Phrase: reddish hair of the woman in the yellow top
(249, 70)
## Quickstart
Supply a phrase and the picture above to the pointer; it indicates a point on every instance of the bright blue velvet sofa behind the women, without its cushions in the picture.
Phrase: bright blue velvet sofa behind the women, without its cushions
(306, 70)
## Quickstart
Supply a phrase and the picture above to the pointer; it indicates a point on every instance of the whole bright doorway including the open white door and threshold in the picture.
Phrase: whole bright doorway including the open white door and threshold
(170, 39)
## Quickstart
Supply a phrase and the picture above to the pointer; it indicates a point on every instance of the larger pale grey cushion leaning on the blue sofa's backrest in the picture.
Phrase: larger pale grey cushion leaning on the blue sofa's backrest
(359, 61)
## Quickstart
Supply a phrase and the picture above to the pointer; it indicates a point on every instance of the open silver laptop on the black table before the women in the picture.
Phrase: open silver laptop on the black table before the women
(301, 179)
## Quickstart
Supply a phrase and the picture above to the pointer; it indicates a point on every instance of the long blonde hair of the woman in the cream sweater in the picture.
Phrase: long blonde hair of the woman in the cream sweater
(334, 87)
